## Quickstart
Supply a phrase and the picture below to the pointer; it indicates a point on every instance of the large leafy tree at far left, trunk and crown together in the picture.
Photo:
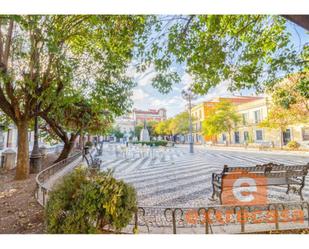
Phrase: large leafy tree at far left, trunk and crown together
(42, 55)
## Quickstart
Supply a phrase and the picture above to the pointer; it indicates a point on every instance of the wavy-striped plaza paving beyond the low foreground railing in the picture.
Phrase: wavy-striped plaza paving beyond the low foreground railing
(181, 179)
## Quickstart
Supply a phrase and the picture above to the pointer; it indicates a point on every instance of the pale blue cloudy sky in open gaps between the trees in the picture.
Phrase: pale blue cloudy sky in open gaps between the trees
(146, 97)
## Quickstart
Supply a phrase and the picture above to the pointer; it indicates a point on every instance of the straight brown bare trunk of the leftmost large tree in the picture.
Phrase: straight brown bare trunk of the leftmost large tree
(23, 164)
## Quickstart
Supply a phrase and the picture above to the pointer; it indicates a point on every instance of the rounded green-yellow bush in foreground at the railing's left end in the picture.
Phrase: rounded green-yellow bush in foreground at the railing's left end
(90, 202)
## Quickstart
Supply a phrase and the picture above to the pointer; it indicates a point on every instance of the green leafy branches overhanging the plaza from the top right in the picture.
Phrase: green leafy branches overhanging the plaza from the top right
(247, 51)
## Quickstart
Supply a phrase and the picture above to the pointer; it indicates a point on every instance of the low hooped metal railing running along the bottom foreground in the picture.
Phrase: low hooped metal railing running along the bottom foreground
(222, 218)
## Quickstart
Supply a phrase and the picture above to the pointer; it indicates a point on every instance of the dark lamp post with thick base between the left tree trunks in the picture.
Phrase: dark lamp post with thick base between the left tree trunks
(35, 157)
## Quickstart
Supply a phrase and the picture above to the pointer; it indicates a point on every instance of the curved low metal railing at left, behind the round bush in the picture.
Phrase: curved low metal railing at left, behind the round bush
(41, 192)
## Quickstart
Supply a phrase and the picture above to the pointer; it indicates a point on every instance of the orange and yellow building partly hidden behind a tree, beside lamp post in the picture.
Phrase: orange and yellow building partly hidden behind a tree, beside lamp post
(201, 110)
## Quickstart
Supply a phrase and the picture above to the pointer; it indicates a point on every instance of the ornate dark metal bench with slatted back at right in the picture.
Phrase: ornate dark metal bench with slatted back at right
(293, 177)
